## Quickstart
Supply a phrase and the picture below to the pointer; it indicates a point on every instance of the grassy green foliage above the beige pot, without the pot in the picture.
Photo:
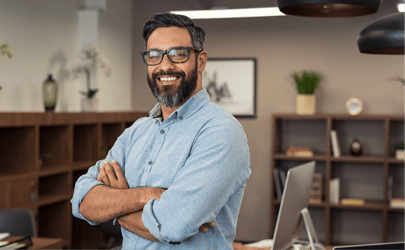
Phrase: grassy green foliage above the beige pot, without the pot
(308, 82)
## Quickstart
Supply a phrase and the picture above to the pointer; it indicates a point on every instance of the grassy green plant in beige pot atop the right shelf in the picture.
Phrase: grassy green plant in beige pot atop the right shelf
(306, 85)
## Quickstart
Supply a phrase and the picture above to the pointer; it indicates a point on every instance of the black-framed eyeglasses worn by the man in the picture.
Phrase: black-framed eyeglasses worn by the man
(175, 55)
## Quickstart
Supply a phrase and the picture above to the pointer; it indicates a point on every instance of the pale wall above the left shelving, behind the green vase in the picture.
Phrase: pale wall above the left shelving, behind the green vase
(43, 37)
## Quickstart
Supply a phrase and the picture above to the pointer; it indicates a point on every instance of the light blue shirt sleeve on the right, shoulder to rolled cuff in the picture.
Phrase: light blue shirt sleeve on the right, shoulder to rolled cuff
(217, 166)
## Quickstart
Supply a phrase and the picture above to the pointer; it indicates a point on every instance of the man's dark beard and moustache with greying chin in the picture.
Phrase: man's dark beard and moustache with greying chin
(170, 97)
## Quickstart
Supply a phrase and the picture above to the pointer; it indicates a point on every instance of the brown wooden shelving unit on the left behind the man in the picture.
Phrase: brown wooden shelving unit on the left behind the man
(41, 157)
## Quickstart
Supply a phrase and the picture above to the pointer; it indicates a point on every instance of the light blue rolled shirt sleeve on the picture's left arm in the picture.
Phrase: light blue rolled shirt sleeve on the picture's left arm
(89, 180)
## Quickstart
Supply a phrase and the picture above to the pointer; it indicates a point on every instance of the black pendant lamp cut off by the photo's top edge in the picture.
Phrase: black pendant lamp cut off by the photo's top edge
(328, 8)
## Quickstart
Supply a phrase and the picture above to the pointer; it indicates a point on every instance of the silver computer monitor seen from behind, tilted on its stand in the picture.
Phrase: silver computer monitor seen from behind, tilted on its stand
(295, 199)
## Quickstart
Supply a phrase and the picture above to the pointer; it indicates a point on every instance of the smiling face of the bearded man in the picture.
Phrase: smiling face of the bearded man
(172, 83)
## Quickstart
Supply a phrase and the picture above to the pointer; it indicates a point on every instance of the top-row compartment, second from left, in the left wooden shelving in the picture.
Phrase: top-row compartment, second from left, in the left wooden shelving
(54, 146)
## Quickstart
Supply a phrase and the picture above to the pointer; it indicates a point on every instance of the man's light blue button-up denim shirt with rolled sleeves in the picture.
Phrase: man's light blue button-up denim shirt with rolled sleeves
(200, 154)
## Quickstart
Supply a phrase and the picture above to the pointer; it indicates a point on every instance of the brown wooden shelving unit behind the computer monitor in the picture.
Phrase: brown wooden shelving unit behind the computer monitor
(364, 176)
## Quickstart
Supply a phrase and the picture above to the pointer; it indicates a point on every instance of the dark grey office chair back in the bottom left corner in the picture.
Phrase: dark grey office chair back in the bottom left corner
(18, 221)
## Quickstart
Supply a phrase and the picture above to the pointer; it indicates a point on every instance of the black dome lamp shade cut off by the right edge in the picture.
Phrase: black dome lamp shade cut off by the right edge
(384, 36)
